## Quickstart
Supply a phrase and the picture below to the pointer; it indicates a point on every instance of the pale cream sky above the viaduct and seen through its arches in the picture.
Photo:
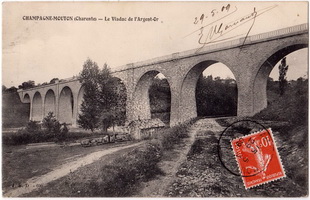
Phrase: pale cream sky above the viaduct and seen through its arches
(40, 50)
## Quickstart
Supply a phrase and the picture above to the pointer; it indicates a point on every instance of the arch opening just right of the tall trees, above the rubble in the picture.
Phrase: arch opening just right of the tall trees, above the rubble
(152, 97)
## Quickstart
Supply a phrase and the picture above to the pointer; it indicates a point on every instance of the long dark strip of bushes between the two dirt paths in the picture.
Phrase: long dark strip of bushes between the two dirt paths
(120, 178)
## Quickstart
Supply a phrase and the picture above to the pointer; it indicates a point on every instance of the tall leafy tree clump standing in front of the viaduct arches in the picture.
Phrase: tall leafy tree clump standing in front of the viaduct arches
(104, 99)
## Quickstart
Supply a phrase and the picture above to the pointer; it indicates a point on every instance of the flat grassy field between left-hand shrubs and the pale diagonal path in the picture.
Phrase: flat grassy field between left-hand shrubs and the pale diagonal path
(20, 164)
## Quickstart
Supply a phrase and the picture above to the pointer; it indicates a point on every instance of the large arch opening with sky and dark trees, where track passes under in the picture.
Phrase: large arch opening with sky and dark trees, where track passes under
(209, 90)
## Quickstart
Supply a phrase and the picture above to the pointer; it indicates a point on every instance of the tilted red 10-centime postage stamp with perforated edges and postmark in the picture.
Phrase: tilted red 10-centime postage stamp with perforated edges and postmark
(258, 158)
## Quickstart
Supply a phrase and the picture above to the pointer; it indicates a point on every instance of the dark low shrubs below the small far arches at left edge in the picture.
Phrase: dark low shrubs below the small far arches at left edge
(49, 131)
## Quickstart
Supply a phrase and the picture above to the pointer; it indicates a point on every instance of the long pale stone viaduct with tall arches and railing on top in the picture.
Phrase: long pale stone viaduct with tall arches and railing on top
(250, 59)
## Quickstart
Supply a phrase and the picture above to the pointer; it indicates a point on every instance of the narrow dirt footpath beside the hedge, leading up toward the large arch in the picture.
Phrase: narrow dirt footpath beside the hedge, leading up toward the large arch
(158, 187)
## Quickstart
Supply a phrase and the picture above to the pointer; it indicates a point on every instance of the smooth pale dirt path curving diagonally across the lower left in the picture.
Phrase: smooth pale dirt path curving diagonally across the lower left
(62, 171)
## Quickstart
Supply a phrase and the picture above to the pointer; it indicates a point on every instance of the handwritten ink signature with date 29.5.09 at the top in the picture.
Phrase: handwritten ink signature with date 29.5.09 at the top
(214, 30)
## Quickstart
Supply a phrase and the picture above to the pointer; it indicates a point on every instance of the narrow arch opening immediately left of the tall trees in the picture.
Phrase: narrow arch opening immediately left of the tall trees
(66, 104)
